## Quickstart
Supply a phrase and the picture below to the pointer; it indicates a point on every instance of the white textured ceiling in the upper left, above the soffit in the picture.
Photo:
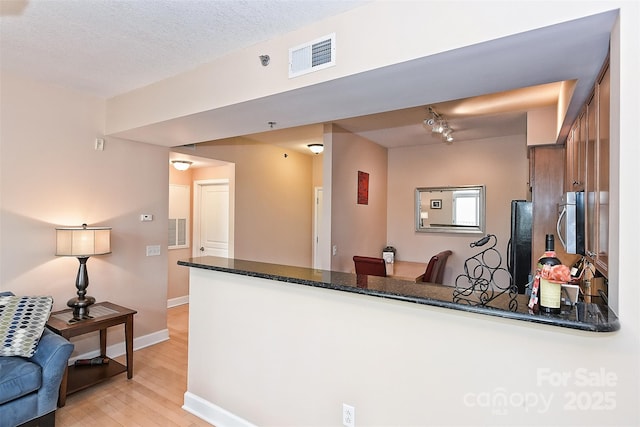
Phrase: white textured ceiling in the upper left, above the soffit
(107, 47)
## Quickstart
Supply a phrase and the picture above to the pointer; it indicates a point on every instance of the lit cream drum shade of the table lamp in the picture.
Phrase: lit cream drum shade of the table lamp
(83, 241)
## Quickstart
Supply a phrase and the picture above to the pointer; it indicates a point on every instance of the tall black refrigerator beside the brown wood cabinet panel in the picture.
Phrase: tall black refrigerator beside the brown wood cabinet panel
(519, 246)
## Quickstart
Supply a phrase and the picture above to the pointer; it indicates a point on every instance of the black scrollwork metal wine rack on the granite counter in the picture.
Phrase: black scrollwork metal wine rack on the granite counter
(484, 279)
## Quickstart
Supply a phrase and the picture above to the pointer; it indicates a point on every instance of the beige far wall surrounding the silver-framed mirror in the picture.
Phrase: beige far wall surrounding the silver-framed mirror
(501, 164)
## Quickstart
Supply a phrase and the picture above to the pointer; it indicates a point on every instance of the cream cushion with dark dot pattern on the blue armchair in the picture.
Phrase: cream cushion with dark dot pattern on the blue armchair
(22, 321)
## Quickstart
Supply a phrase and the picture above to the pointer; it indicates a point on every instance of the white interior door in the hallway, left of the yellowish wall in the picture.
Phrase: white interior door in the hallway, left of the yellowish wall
(213, 219)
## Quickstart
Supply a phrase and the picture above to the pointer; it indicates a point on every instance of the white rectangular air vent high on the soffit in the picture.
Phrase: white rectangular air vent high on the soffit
(312, 56)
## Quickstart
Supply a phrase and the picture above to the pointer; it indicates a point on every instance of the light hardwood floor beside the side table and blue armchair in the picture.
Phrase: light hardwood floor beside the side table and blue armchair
(153, 397)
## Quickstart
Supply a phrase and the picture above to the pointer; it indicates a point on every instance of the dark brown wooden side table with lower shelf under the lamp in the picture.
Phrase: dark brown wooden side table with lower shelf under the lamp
(105, 315)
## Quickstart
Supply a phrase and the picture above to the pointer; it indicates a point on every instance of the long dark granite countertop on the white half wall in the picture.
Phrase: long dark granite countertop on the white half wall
(582, 316)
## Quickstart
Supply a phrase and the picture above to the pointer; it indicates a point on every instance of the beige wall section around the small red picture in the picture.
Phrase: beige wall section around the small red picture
(357, 229)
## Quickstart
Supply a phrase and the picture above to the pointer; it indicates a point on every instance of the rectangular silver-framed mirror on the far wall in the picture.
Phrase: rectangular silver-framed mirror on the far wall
(450, 209)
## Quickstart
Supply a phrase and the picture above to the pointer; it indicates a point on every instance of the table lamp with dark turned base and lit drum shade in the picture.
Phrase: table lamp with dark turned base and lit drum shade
(82, 242)
